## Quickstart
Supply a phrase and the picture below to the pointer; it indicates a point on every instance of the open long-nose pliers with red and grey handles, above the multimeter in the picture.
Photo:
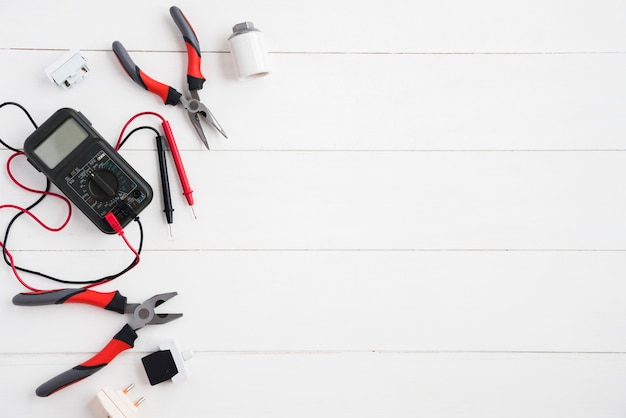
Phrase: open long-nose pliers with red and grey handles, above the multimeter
(195, 79)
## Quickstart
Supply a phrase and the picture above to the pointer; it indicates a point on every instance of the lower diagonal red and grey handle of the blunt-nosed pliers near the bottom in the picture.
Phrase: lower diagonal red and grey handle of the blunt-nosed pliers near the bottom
(123, 340)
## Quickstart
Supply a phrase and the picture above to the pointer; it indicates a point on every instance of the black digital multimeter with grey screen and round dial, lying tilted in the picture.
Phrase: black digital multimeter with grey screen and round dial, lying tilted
(87, 169)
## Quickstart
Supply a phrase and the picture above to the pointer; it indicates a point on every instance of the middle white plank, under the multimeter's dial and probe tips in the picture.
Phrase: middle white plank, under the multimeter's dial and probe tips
(370, 200)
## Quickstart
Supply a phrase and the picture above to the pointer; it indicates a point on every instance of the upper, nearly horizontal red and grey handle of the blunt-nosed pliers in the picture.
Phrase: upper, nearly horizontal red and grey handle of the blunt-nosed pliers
(112, 301)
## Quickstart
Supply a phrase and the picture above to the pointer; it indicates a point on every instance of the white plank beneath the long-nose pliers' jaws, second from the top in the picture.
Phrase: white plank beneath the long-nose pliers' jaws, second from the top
(350, 102)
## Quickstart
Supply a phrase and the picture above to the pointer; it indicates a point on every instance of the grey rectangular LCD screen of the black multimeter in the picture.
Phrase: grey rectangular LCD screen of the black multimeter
(61, 143)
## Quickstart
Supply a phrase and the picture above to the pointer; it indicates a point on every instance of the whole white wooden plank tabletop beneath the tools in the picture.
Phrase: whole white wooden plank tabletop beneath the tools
(420, 212)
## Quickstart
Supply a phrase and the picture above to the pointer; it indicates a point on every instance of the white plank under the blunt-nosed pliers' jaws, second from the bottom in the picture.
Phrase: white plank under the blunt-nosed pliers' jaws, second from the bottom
(340, 301)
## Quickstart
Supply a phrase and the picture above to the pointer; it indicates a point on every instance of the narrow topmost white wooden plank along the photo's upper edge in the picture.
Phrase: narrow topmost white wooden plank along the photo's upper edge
(329, 25)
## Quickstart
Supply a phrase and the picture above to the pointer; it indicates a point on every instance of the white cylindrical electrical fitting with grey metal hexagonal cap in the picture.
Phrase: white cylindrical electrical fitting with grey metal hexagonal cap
(247, 47)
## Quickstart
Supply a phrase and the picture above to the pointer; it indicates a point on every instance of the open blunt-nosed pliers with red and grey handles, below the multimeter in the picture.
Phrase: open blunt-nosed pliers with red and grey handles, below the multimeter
(142, 314)
